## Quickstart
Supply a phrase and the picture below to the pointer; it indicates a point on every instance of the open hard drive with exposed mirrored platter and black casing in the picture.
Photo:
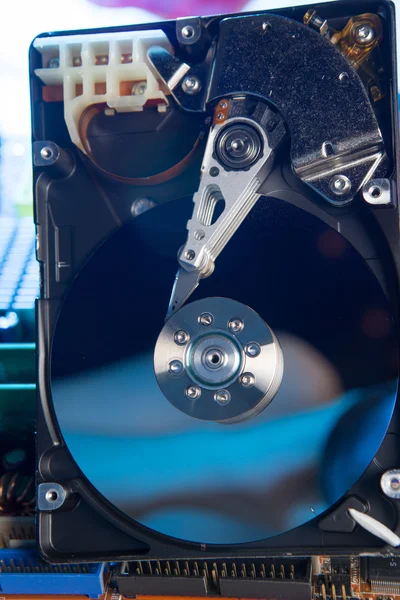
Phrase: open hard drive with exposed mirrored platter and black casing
(217, 230)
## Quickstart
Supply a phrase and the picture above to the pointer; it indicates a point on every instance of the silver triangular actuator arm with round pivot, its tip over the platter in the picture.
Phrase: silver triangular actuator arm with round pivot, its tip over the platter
(237, 160)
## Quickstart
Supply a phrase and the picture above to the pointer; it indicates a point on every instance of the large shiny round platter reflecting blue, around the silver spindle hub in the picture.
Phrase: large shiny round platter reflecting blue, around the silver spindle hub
(213, 482)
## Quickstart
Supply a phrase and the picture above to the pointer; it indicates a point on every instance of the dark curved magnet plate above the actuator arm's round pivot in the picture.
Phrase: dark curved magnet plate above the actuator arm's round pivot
(333, 129)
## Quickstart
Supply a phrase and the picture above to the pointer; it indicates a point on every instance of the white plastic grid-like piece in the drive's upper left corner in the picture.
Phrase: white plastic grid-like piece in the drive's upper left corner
(102, 67)
